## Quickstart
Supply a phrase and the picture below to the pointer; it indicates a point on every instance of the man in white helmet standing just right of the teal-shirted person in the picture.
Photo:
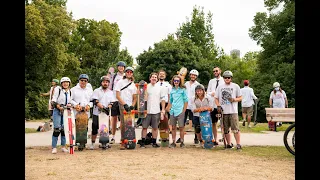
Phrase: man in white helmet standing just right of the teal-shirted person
(190, 88)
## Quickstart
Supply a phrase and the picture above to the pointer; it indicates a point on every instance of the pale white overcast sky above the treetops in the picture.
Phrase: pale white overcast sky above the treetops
(145, 22)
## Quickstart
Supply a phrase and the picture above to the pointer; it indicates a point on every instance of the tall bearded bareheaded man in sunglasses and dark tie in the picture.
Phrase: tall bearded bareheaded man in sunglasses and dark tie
(212, 86)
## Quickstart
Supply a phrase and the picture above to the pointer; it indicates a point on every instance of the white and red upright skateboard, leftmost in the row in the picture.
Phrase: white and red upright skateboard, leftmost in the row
(69, 128)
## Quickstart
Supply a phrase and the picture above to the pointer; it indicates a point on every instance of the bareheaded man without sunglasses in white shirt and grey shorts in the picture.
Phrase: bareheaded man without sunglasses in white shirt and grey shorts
(155, 95)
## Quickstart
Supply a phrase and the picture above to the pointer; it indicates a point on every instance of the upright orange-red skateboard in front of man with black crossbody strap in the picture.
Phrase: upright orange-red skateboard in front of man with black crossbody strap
(128, 130)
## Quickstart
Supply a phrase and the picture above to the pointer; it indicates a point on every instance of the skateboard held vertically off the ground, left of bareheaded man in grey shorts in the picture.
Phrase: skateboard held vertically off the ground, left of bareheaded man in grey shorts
(142, 87)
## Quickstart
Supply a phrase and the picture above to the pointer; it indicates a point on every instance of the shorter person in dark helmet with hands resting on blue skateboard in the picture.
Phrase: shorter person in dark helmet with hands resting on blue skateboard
(200, 102)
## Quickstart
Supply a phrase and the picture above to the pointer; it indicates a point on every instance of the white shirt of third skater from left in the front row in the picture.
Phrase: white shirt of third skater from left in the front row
(104, 97)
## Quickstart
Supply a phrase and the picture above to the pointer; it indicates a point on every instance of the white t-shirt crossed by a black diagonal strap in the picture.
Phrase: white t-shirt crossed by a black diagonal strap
(127, 93)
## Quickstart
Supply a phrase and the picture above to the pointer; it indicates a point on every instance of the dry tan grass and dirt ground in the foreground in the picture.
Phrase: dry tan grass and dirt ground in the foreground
(150, 163)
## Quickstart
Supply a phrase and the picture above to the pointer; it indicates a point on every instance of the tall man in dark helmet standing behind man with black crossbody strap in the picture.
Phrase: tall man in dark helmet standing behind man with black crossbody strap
(115, 112)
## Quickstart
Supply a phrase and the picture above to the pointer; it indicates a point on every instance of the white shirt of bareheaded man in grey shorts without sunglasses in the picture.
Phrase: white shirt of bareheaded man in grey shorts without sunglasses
(155, 94)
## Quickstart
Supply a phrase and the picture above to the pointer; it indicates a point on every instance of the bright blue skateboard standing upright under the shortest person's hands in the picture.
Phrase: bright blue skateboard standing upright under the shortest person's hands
(206, 129)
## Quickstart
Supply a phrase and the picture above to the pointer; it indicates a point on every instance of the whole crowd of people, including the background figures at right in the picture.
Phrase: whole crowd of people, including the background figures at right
(181, 103)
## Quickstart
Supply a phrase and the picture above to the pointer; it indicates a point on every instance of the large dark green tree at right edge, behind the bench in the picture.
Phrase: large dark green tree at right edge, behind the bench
(276, 62)
